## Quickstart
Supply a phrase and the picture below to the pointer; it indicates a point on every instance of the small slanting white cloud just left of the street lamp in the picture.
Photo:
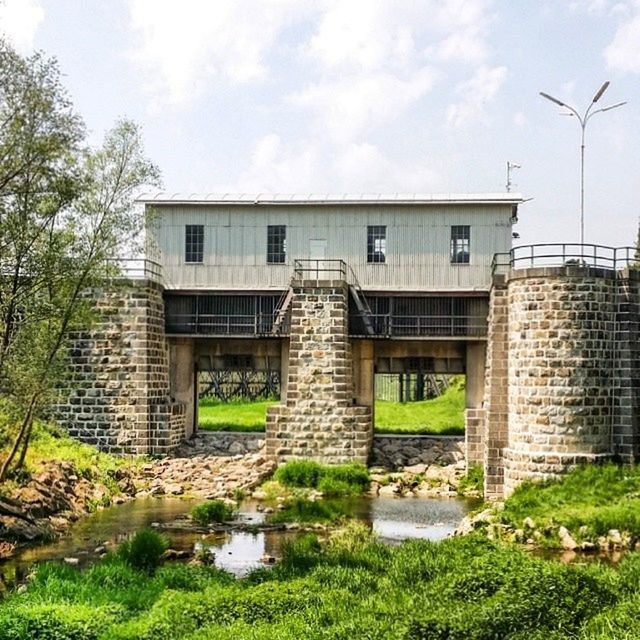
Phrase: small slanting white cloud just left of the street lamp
(478, 91)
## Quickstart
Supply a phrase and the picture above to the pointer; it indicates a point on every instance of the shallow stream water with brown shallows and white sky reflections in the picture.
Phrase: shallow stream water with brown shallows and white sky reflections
(393, 519)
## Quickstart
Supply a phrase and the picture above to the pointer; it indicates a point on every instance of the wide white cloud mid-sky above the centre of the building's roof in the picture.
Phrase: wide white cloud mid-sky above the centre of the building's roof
(353, 105)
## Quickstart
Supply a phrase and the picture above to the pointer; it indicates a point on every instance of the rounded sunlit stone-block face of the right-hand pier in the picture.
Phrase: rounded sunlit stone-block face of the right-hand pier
(562, 343)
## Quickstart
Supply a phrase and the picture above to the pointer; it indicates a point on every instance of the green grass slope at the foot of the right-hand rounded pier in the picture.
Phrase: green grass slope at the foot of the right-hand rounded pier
(598, 497)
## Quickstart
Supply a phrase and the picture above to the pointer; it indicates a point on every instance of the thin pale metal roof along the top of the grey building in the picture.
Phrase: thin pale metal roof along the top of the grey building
(327, 199)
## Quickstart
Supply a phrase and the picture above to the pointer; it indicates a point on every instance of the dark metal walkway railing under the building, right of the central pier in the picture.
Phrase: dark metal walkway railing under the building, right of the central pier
(390, 325)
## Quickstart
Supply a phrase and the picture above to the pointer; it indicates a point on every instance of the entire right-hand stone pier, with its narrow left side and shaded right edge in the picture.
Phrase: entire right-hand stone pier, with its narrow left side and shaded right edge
(562, 372)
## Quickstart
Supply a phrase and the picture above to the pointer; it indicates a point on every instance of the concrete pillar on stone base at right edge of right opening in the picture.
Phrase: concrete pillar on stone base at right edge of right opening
(474, 414)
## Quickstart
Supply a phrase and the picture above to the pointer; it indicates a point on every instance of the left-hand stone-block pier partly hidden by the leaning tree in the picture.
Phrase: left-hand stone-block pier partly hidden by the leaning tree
(117, 396)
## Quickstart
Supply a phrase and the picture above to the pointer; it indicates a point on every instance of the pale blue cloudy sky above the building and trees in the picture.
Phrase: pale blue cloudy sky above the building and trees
(365, 96)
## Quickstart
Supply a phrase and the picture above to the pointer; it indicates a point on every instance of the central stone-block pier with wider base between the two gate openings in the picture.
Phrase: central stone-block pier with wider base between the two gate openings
(318, 419)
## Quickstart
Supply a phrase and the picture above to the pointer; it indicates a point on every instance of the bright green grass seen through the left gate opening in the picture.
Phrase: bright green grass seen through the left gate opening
(214, 415)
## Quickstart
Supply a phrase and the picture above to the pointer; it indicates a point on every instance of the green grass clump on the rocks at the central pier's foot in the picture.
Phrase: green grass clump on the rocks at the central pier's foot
(333, 480)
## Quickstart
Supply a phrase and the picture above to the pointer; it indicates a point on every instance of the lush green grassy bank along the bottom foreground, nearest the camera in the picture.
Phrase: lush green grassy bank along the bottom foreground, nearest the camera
(349, 588)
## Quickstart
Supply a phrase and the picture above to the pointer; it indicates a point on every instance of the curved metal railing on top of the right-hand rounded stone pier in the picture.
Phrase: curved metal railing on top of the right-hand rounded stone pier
(565, 254)
